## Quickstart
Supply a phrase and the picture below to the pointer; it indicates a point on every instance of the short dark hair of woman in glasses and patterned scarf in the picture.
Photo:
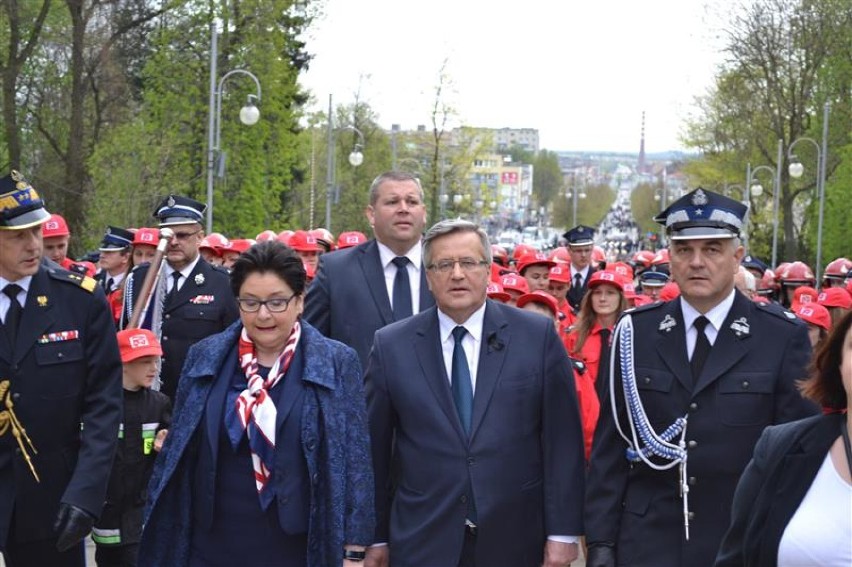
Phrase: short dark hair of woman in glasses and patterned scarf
(270, 256)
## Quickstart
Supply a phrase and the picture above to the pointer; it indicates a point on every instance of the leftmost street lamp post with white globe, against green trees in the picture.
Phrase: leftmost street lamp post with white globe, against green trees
(249, 115)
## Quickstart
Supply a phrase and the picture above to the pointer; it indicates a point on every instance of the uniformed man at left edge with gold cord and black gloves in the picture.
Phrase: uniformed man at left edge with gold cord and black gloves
(60, 393)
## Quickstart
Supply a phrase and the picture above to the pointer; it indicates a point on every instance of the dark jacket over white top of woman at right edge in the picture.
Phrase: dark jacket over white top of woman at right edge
(786, 460)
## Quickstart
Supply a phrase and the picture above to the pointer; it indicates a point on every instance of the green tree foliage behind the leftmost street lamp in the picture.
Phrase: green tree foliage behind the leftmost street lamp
(163, 149)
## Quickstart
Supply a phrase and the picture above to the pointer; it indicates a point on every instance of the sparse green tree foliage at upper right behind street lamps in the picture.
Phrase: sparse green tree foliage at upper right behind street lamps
(786, 58)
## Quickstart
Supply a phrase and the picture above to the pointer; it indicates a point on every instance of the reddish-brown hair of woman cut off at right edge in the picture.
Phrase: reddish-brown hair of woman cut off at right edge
(825, 384)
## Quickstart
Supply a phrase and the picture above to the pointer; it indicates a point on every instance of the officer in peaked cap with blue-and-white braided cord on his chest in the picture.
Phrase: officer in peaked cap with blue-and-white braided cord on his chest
(705, 374)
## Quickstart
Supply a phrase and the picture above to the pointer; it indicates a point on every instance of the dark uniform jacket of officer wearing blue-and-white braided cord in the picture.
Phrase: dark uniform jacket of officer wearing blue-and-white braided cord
(747, 383)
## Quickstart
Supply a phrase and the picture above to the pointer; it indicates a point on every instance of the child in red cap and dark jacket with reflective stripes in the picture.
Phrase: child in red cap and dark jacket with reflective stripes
(145, 422)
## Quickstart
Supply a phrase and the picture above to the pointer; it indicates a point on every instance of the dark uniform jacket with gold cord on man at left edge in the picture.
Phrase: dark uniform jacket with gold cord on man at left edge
(59, 382)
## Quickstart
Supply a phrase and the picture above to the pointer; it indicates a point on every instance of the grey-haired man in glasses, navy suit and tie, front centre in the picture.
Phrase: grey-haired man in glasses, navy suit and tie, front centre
(472, 406)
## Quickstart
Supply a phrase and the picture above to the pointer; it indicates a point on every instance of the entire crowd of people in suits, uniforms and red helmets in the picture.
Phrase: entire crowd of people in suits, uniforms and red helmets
(420, 397)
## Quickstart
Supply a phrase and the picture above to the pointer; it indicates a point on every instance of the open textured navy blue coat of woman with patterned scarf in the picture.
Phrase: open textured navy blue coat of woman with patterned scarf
(334, 440)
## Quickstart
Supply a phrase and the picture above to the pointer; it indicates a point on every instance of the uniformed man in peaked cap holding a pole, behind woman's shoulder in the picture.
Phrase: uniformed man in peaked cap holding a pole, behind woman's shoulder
(192, 299)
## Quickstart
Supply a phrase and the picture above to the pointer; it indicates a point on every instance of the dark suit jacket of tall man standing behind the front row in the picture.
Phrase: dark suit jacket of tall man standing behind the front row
(348, 300)
